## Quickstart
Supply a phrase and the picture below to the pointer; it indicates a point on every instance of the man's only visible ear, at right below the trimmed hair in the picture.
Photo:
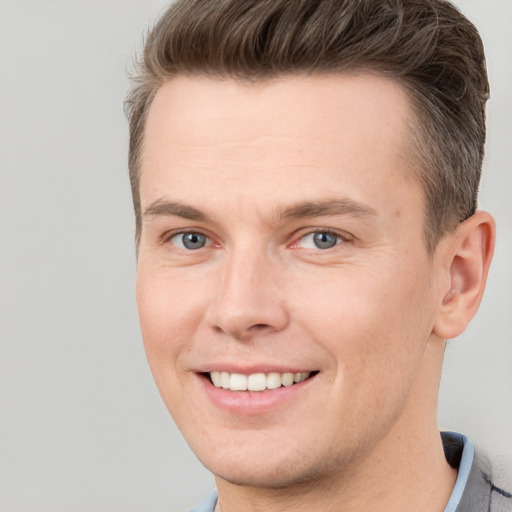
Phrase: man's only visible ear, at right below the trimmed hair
(466, 258)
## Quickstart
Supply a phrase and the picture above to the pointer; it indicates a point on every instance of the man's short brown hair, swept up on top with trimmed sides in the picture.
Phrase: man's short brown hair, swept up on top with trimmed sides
(426, 45)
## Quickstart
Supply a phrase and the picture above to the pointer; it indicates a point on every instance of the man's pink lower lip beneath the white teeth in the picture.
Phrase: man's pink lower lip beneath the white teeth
(252, 402)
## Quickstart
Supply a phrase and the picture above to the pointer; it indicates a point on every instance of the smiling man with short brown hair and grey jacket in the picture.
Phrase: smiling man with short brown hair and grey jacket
(304, 175)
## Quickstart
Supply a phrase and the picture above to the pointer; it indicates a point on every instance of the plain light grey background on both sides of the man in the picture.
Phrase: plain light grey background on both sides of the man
(82, 426)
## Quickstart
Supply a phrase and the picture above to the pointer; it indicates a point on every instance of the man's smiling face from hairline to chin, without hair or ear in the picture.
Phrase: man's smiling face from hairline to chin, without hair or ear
(281, 235)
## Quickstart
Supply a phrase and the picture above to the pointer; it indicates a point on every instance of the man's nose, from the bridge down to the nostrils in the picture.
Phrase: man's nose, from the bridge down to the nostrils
(248, 302)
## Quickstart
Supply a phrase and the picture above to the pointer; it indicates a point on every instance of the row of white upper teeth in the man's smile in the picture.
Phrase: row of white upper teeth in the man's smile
(256, 381)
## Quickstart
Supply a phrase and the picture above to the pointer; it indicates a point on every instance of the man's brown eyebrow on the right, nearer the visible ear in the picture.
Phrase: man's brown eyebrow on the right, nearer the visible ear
(331, 207)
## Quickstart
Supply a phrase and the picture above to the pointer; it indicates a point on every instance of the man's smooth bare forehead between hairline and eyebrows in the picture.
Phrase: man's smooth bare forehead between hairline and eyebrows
(300, 135)
